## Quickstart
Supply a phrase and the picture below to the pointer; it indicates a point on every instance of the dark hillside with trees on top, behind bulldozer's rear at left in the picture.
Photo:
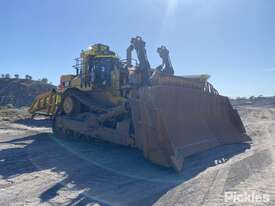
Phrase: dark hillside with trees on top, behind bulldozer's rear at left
(21, 92)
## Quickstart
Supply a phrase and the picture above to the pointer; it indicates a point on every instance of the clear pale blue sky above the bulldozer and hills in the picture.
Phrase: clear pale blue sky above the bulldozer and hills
(231, 40)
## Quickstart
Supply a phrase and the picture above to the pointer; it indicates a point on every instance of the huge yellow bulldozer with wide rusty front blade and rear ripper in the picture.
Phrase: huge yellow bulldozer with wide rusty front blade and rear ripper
(129, 103)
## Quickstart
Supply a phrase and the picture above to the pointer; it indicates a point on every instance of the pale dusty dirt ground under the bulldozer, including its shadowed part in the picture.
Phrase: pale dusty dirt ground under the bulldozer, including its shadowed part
(38, 169)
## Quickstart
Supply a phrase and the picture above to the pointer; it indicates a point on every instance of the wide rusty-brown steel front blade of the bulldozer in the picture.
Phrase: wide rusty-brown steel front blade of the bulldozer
(173, 122)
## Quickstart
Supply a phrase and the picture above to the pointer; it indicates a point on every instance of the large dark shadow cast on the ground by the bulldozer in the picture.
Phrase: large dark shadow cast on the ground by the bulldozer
(108, 174)
